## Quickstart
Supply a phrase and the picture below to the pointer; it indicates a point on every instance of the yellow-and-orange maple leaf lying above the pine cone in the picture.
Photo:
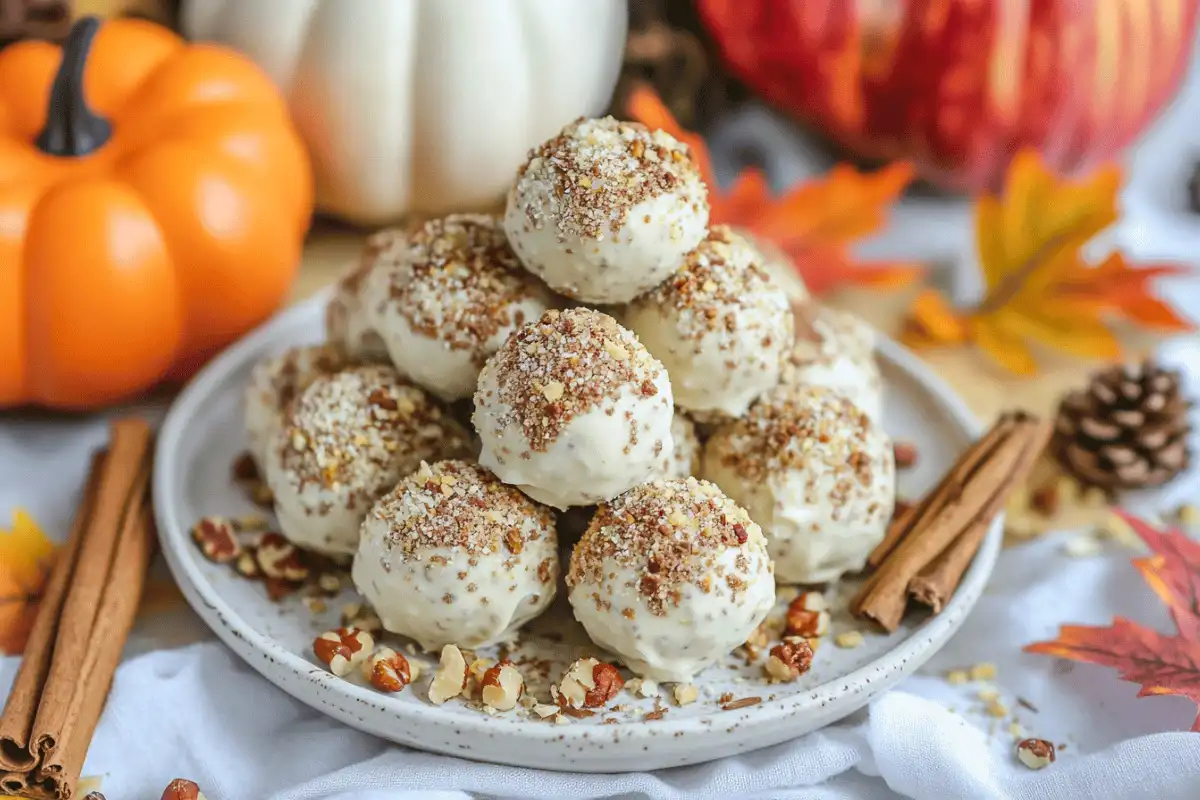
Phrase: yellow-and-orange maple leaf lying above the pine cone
(1040, 286)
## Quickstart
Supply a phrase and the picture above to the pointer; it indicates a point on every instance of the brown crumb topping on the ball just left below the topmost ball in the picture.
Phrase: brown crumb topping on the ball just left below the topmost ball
(459, 282)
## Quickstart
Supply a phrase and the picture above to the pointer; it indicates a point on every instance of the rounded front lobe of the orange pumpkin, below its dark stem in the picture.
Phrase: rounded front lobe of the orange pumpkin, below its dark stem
(83, 328)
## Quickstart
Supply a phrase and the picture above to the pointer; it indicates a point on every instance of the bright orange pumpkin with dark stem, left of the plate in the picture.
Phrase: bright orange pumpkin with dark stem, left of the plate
(154, 200)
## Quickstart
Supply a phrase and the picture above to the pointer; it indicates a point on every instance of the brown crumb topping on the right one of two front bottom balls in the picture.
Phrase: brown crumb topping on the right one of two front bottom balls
(670, 534)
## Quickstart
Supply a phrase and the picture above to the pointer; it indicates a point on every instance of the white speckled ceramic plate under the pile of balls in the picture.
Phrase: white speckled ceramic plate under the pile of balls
(202, 437)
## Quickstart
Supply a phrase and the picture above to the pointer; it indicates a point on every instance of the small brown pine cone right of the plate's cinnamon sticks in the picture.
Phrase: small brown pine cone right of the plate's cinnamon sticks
(1127, 431)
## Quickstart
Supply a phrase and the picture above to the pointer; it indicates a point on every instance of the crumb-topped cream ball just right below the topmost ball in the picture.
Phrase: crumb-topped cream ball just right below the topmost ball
(721, 327)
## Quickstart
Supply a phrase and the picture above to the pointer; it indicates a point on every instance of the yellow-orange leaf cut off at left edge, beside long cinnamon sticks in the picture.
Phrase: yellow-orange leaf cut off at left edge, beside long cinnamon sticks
(26, 561)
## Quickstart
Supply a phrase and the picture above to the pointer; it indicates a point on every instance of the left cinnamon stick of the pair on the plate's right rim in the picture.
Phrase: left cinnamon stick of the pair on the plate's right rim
(884, 597)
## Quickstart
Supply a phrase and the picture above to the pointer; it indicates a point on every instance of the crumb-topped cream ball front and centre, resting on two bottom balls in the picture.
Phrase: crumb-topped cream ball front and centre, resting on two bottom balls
(574, 411)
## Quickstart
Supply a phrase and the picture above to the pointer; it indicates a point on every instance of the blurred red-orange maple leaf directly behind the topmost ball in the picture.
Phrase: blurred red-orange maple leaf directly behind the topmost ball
(814, 224)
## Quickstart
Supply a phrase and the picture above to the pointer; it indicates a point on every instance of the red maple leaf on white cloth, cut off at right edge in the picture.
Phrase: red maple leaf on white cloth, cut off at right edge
(1162, 664)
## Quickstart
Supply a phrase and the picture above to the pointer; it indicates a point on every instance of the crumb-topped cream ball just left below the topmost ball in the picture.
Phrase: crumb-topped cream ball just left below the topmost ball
(449, 298)
